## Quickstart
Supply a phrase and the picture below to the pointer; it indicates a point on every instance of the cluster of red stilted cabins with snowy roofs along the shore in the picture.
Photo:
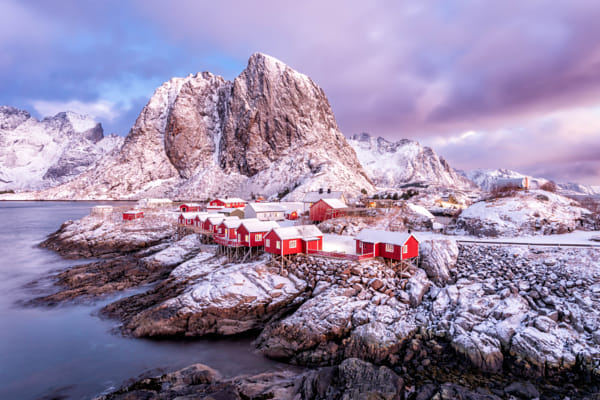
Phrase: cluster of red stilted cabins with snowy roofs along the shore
(241, 230)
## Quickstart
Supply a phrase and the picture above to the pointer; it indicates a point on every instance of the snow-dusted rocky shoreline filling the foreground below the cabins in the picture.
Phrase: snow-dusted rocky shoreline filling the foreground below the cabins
(474, 321)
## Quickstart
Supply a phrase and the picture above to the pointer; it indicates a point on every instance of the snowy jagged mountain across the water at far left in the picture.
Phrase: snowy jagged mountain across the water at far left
(40, 154)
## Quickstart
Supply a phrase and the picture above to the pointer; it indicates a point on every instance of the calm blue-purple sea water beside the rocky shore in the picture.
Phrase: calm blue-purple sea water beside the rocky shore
(67, 351)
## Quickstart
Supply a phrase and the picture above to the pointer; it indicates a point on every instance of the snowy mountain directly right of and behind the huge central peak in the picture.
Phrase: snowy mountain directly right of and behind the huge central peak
(395, 164)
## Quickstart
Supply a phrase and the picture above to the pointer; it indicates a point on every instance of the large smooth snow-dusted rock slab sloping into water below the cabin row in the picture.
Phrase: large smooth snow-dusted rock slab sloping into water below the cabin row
(221, 299)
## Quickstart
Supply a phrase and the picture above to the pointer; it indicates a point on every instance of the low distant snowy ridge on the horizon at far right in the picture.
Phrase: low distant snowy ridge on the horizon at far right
(487, 178)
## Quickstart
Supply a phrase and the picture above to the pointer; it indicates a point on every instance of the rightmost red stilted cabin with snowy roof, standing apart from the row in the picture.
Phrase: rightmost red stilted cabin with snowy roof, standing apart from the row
(393, 245)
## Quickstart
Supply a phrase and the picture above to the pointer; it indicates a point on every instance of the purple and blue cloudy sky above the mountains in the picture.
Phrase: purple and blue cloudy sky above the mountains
(486, 84)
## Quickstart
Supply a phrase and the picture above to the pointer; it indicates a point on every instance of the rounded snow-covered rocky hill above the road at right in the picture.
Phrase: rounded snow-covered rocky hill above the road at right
(524, 212)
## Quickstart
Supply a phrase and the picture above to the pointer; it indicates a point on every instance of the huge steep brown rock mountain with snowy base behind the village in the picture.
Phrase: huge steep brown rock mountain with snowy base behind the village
(269, 131)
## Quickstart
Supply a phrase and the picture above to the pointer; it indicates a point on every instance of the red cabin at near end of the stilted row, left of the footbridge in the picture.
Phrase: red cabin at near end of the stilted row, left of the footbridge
(293, 240)
